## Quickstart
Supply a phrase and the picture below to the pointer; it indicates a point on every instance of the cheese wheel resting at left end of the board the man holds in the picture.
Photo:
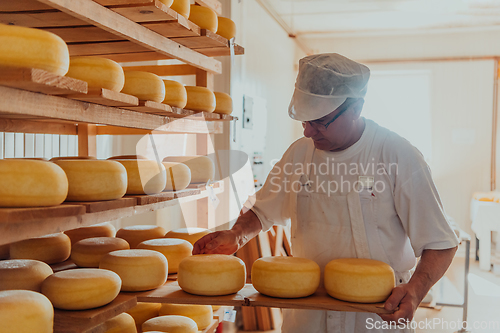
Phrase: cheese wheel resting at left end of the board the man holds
(139, 269)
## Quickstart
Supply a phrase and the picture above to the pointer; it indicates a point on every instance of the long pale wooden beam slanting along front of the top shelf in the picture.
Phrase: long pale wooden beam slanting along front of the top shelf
(110, 21)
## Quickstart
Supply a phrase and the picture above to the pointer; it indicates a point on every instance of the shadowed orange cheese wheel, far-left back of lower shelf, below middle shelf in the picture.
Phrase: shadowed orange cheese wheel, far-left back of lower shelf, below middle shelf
(51, 249)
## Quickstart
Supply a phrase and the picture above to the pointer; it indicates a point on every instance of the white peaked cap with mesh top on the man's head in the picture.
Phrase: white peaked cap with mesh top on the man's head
(324, 82)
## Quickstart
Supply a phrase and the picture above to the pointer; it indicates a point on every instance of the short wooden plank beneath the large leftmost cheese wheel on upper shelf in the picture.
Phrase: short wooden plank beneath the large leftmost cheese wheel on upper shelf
(38, 80)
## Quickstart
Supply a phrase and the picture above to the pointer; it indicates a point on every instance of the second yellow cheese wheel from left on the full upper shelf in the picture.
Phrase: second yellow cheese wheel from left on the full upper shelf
(97, 72)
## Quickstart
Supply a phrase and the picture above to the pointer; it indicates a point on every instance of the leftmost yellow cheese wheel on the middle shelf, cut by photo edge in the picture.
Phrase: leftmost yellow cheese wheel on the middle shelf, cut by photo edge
(30, 183)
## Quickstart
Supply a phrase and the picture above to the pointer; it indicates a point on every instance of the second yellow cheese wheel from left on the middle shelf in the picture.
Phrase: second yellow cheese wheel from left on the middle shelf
(94, 180)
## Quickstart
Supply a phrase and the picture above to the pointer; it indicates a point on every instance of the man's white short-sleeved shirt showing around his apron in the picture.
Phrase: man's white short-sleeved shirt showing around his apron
(407, 215)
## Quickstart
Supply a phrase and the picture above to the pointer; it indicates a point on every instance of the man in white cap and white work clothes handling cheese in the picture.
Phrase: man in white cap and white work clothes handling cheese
(351, 189)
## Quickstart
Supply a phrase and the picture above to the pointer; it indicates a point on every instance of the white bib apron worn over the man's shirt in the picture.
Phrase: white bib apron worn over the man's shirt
(331, 227)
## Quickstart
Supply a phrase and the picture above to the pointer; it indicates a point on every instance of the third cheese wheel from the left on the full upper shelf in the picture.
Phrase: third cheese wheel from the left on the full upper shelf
(144, 85)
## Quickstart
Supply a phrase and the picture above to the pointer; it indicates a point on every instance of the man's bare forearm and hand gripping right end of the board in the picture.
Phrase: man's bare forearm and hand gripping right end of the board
(431, 267)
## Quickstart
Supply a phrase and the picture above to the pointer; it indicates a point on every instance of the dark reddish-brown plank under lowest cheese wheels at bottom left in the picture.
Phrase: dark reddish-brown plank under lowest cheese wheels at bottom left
(80, 321)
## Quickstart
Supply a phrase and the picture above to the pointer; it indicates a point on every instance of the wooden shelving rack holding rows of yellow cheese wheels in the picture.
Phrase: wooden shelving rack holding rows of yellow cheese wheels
(35, 101)
